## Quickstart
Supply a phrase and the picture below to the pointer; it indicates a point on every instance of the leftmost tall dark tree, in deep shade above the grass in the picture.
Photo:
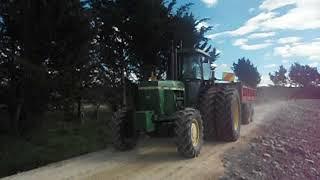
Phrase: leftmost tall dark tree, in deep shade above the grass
(48, 41)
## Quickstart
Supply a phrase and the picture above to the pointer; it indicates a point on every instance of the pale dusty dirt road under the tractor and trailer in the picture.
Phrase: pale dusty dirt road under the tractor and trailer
(157, 158)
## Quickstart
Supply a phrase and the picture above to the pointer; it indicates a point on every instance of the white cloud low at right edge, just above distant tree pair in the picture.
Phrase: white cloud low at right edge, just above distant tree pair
(309, 50)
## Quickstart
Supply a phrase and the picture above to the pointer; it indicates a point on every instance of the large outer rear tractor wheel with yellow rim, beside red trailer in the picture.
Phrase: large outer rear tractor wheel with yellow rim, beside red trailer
(228, 113)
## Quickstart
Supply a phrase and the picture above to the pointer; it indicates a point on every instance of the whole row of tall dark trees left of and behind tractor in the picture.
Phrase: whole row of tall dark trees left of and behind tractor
(55, 54)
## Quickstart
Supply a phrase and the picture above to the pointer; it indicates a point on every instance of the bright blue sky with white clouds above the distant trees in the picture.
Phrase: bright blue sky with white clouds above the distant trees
(268, 32)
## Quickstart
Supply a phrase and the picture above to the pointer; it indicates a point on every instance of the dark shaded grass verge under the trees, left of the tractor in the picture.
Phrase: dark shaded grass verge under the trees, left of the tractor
(56, 141)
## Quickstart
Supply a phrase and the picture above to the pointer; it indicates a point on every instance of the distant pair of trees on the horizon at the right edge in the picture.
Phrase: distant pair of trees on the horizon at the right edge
(298, 76)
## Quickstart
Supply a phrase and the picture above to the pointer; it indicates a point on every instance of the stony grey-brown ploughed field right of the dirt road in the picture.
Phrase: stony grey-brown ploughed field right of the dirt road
(286, 148)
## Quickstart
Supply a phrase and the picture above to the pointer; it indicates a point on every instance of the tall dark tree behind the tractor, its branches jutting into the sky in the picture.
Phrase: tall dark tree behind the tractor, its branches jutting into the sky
(134, 37)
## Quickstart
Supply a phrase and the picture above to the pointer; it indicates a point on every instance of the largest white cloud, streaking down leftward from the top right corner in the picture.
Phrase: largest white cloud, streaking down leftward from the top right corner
(305, 15)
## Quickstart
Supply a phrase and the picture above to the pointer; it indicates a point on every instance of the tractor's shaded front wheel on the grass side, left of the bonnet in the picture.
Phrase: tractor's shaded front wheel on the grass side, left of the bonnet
(123, 135)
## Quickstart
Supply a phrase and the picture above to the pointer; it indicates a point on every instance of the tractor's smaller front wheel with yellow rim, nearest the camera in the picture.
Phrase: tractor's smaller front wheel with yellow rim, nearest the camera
(189, 132)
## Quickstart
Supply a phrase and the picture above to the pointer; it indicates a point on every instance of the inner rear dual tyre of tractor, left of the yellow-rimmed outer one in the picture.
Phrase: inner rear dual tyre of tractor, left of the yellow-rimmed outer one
(208, 112)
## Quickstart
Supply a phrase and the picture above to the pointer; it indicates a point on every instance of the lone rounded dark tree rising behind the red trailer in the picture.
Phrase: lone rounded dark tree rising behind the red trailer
(246, 72)
